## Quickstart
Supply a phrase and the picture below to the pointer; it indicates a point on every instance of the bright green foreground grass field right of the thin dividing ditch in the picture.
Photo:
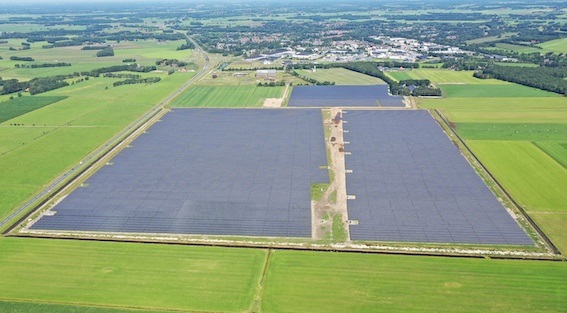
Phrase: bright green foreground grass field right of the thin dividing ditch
(343, 282)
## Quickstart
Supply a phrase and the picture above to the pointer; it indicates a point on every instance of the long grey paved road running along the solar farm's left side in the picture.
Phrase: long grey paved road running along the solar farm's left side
(115, 140)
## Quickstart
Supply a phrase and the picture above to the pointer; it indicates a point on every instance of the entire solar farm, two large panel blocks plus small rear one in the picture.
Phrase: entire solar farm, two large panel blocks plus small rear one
(249, 173)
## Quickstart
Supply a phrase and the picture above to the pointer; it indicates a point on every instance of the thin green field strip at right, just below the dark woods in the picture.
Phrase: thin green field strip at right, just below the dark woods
(493, 91)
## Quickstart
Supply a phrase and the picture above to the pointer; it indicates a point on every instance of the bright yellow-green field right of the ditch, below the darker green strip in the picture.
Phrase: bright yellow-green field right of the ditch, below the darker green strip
(535, 180)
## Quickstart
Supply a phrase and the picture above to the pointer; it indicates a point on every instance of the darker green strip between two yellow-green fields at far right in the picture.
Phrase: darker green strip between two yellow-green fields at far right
(515, 131)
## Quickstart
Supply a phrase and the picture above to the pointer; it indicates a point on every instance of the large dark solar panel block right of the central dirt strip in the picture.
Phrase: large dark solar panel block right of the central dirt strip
(413, 185)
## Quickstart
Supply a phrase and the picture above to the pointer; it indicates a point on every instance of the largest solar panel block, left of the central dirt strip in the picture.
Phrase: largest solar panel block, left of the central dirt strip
(206, 171)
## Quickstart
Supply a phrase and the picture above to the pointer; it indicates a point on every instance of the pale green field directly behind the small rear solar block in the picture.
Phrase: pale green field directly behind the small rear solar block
(341, 76)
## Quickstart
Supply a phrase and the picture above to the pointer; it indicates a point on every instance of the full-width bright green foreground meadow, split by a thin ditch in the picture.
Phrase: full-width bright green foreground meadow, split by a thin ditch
(189, 278)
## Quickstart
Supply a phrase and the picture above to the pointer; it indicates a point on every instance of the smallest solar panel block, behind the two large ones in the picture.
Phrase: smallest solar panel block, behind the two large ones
(343, 96)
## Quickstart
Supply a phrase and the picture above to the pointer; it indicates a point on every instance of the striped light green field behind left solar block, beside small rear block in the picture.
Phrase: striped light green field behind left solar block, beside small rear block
(226, 96)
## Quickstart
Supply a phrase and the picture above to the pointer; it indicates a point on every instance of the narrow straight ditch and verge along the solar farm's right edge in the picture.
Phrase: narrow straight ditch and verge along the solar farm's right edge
(530, 221)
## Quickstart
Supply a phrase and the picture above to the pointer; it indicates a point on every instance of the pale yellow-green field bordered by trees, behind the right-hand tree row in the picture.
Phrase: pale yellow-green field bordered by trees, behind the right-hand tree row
(443, 76)
